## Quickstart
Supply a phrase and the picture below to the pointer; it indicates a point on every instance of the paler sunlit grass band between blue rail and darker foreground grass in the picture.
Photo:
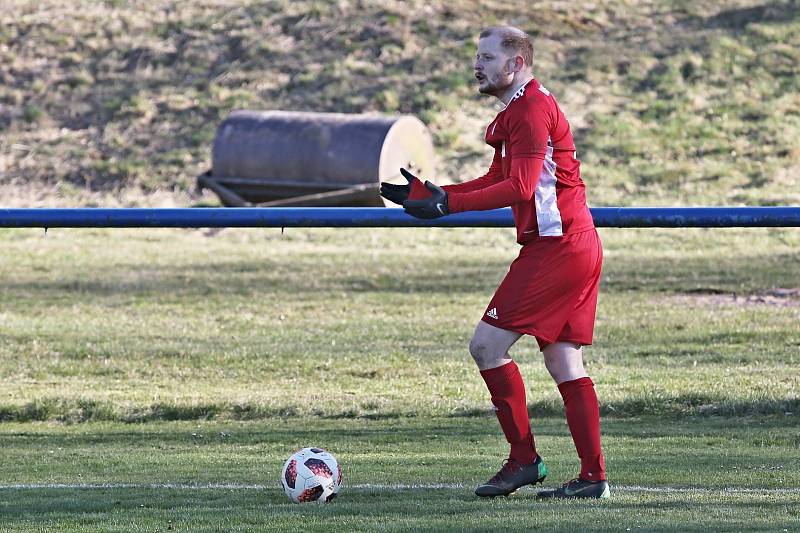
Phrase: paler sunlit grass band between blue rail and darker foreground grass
(241, 317)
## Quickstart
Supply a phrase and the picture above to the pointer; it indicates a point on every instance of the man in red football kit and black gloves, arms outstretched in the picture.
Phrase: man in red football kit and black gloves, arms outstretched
(550, 291)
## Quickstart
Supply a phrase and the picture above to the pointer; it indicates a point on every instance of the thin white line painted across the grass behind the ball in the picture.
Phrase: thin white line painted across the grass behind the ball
(368, 487)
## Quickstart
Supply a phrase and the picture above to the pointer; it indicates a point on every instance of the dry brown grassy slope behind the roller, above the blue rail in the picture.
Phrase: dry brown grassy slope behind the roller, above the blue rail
(671, 103)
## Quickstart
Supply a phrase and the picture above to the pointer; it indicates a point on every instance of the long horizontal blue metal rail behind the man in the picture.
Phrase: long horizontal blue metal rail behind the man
(296, 217)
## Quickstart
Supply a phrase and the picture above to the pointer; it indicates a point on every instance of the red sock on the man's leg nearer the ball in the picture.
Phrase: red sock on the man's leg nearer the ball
(508, 396)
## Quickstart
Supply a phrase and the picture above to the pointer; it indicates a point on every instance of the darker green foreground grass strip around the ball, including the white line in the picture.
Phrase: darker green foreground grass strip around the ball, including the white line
(722, 454)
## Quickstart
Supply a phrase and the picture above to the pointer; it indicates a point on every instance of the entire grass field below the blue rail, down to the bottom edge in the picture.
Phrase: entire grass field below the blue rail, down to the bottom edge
(157, 379)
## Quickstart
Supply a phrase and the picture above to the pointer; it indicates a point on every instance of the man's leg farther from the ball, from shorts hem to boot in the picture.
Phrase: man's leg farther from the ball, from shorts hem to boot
(564, 361)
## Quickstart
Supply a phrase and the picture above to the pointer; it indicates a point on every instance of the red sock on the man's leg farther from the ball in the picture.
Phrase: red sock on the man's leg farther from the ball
(583, 418)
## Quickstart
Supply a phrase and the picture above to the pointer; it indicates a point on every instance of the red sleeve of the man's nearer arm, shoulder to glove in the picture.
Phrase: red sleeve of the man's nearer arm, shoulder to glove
(527, 147)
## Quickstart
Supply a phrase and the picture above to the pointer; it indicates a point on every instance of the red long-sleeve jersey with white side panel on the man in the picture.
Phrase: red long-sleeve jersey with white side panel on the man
(534, 170)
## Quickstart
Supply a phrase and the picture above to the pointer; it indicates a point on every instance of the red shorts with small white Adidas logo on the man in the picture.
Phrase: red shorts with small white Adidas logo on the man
(550, 291)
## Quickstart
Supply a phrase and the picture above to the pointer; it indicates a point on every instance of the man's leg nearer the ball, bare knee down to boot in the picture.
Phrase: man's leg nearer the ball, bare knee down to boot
(489, 347)
